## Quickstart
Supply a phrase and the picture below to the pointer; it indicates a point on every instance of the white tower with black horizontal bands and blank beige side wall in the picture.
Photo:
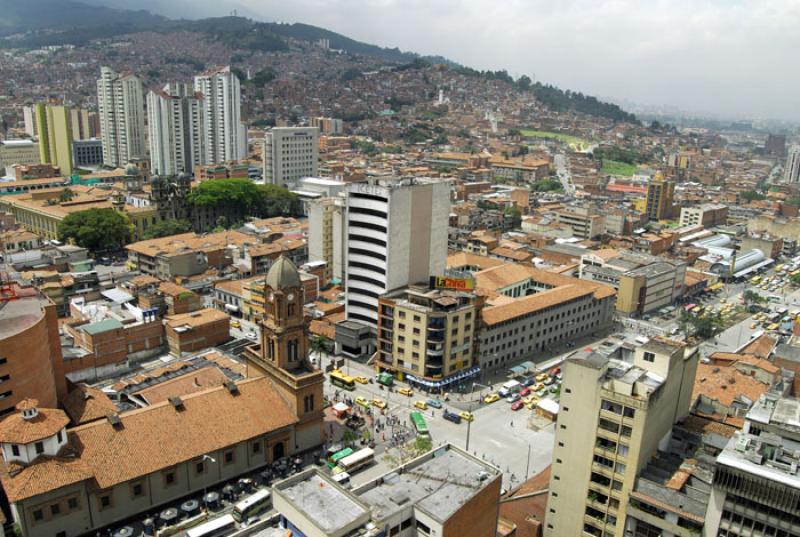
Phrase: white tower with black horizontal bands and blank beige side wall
(396, 233)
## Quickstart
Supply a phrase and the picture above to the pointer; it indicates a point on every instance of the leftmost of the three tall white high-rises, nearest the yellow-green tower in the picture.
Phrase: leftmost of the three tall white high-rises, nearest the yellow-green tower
(121, 107)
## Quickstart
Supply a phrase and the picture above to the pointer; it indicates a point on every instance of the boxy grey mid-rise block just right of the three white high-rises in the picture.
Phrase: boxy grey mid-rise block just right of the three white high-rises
(290, 154)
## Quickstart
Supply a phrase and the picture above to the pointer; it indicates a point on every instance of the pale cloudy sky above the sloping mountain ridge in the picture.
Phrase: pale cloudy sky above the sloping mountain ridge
(726, 58)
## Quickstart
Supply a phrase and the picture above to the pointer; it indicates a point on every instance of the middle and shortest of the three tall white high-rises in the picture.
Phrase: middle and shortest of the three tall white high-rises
(175, 122)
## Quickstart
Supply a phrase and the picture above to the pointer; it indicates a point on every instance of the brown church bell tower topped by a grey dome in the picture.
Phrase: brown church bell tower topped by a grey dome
(283, 353)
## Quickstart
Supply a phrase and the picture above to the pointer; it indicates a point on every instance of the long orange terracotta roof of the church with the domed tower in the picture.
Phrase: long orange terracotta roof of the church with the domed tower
(157, 437)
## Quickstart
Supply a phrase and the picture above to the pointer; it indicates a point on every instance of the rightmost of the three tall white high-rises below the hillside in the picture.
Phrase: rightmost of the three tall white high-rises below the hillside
(225, 134)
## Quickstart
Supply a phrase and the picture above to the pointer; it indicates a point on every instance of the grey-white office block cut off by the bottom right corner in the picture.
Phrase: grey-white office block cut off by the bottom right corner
(756, 486)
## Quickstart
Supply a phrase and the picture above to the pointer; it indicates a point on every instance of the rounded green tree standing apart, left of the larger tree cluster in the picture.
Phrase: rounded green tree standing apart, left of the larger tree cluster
(96, 229)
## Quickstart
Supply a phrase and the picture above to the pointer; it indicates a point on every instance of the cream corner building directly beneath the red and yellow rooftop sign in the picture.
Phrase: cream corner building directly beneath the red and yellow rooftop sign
(427, 335)
